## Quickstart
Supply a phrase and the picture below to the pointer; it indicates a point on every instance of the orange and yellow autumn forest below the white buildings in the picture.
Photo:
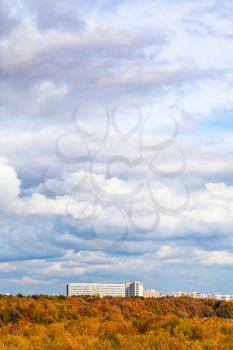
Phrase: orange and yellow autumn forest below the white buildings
(42, 322)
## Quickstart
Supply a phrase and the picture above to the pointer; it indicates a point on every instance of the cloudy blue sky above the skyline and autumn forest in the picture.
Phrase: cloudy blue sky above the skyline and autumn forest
(116, 144)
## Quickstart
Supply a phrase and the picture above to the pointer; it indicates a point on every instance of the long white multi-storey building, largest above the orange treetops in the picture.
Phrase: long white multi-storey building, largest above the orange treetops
(124, 289)
